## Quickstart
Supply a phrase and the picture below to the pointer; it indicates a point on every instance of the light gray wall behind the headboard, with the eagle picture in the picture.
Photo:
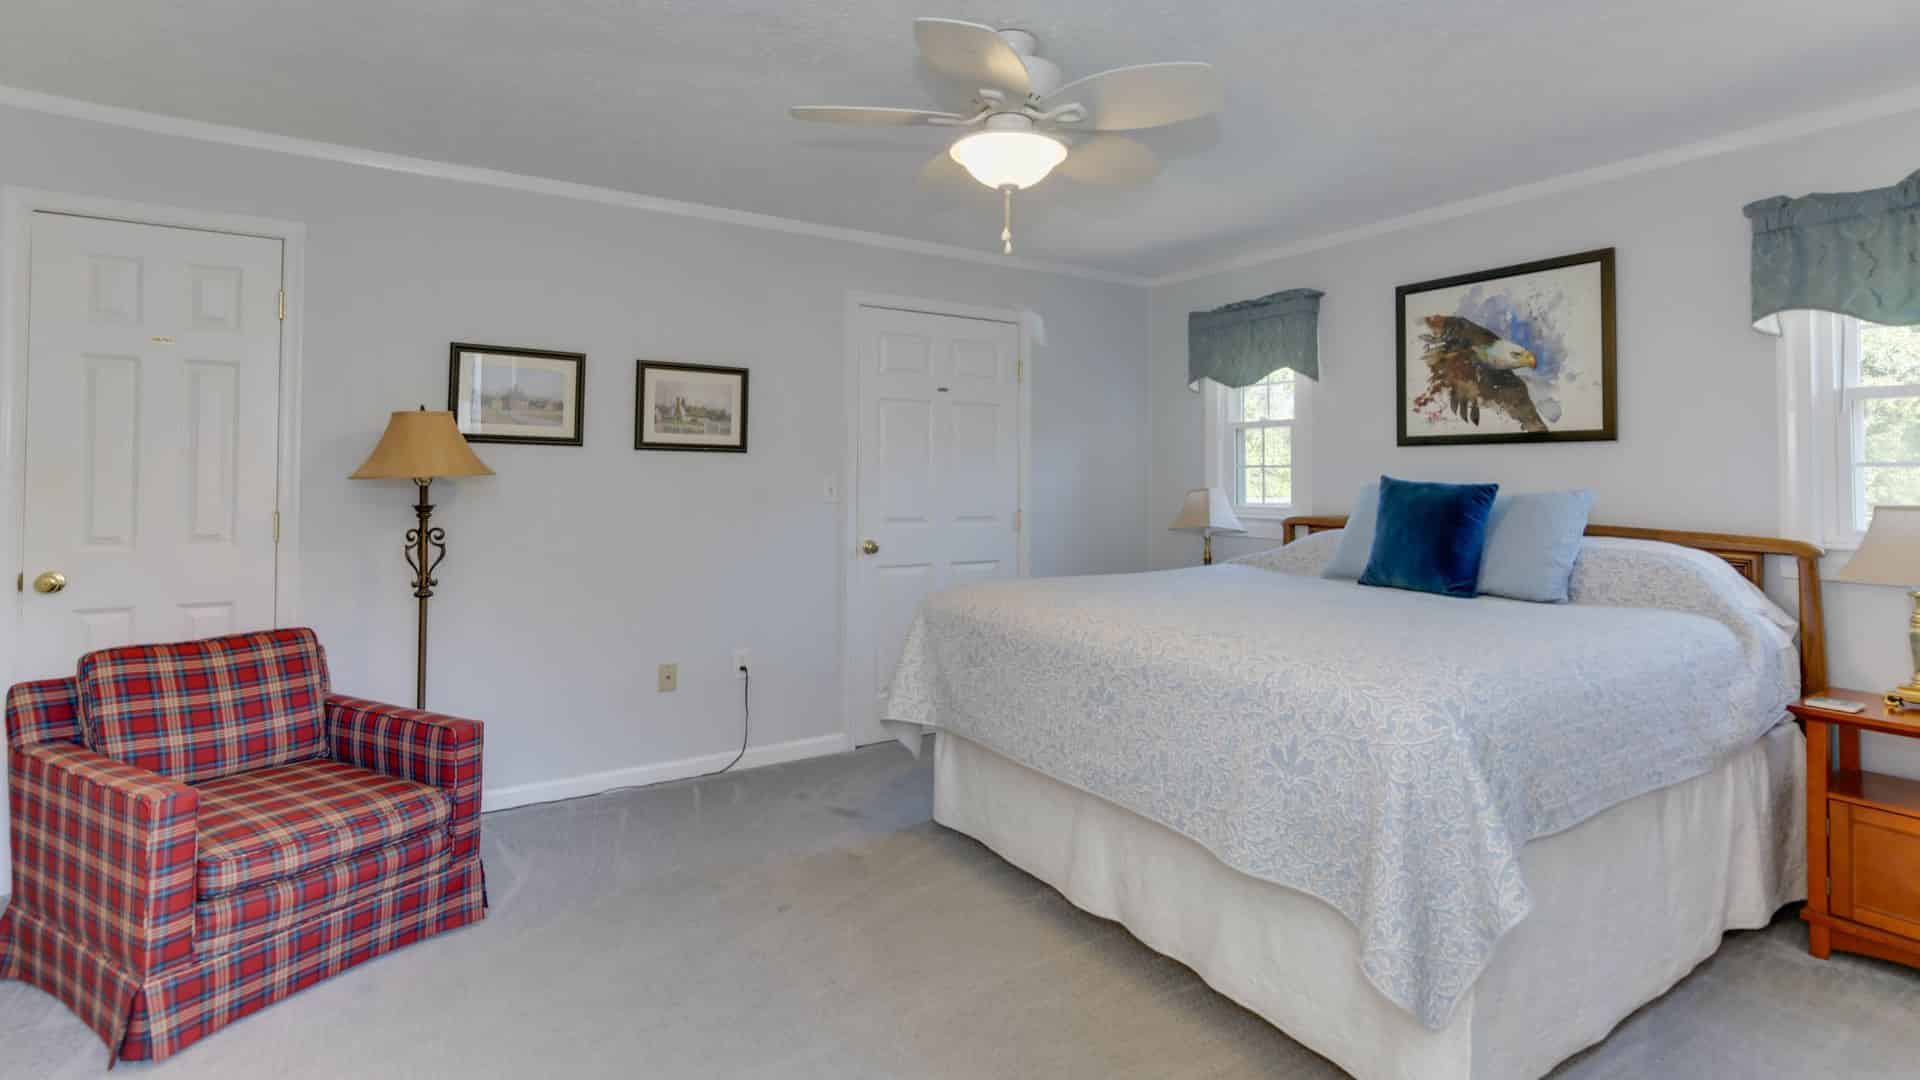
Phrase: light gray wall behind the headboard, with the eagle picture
(1698, 387)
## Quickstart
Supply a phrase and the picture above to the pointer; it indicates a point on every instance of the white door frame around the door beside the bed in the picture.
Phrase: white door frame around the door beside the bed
(852, 699)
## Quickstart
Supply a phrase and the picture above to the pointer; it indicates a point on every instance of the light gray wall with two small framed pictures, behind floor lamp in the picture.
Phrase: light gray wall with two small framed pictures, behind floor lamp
(577, 570)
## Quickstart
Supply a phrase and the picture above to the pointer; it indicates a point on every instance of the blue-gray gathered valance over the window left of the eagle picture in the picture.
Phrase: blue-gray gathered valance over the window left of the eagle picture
(1243, 343)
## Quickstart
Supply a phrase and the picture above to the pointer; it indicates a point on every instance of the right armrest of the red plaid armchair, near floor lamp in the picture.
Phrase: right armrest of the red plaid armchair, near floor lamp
(427, 749)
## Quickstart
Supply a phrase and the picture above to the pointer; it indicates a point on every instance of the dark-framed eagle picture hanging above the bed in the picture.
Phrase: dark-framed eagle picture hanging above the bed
(1512, 355)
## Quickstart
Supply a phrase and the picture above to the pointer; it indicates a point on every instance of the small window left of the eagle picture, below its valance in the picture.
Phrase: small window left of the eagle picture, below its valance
(1257, 441)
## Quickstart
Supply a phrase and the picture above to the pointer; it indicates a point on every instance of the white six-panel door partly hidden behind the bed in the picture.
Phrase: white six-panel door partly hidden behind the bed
(938, 479)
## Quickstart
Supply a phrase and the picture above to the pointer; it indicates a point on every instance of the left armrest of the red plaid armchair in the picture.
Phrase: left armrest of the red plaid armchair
(105, 852)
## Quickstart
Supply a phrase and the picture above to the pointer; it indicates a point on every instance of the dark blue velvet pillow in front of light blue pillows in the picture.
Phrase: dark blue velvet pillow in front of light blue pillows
(1429, 537)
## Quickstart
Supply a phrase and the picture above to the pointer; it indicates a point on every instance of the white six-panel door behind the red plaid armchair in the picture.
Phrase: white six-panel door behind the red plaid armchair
(153, 437)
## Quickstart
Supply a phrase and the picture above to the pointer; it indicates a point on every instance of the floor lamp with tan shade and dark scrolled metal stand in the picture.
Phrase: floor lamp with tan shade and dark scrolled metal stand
(421, 447)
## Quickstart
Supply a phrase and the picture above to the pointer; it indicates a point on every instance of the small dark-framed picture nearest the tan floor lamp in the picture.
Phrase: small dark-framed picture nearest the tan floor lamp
(517, 395)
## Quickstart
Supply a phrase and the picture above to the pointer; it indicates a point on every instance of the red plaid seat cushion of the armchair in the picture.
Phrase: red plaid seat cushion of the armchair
(279, 823)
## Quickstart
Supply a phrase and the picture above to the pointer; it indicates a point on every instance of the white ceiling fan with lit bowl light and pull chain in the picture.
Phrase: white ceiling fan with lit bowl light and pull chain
(1024, 124)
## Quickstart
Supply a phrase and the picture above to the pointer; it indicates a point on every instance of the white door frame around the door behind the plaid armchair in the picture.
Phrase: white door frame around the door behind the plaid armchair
(16, 228)
